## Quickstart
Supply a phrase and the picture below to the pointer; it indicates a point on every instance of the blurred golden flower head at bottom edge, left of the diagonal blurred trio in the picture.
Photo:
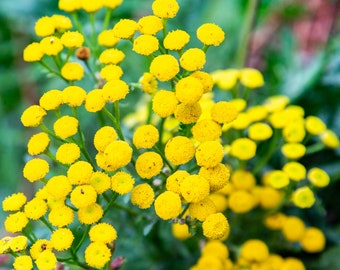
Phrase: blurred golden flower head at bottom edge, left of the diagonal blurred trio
(254, 250)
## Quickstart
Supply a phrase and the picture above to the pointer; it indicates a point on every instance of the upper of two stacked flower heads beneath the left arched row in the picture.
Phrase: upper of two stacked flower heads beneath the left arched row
(66, 126)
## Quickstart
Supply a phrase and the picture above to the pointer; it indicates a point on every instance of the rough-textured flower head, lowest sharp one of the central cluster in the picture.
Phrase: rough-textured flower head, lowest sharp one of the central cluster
(216, 226)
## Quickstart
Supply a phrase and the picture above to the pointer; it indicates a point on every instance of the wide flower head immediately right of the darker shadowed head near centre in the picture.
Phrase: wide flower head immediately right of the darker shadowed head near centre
(223, 112)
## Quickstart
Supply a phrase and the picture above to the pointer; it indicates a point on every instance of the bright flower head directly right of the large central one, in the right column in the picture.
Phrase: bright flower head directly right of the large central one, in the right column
(209, 154)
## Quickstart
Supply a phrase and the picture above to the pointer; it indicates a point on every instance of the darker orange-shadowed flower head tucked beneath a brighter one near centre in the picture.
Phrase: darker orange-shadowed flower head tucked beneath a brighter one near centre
(188, 113)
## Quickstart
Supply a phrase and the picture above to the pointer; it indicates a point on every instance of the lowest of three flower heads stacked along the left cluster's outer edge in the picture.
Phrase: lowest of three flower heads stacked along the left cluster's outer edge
(35, 169)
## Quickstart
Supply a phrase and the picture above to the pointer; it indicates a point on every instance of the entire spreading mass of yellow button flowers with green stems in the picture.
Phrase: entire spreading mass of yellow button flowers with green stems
(186, 155)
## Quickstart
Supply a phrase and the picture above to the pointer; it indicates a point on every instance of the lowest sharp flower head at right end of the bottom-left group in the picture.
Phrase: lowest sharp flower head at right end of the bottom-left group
(97, 254)
